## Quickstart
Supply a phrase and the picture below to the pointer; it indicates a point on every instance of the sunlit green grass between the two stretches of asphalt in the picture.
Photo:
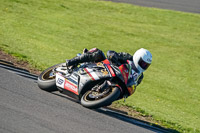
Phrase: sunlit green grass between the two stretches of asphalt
(47, 32)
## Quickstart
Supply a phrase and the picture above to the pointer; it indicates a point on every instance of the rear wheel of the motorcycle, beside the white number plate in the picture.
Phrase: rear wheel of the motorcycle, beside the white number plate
(46, 80)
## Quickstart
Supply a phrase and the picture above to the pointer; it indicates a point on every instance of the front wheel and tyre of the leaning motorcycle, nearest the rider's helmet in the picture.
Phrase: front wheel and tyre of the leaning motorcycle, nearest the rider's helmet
(88, 100)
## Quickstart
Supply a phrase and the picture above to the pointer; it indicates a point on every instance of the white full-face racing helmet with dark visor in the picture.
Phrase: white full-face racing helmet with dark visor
(142, 59)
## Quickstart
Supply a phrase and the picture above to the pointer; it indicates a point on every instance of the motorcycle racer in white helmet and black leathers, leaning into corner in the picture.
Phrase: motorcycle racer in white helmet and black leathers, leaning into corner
(137, 63)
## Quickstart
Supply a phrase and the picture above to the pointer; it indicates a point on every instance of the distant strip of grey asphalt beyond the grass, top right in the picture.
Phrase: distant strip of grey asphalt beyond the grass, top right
(179, 5)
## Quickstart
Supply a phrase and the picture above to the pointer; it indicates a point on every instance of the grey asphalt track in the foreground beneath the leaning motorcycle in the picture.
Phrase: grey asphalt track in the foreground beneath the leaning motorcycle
(24, 108)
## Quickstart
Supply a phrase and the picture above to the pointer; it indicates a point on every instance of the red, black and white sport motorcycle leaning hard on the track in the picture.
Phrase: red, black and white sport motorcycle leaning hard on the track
(93, 84)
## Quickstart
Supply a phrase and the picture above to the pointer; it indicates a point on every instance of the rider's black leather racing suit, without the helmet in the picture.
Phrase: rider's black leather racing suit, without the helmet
(96, 55)
